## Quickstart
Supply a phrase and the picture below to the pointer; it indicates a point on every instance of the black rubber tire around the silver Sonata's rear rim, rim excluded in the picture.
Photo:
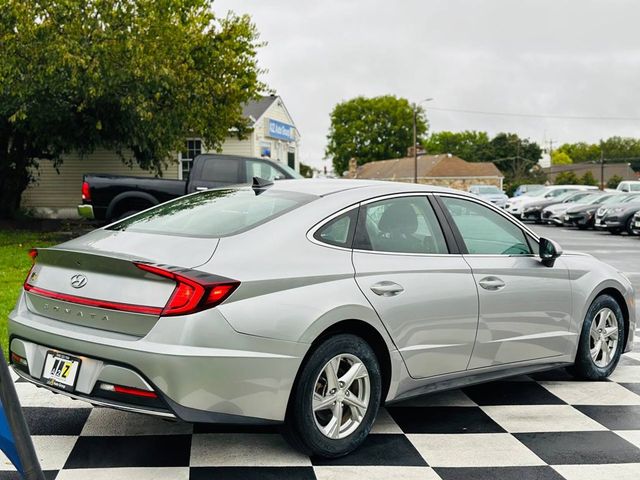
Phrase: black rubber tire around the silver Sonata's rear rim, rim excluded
(300, 427)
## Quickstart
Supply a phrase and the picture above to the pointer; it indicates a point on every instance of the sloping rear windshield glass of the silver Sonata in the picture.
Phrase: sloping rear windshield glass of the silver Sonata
(214, 213)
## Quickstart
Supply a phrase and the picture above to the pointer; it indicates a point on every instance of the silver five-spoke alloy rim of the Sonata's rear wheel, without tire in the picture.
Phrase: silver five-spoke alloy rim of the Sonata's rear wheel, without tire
(341, 396)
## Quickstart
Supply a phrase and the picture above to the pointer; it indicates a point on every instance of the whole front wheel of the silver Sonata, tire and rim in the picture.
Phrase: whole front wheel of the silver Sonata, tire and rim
(601, 340)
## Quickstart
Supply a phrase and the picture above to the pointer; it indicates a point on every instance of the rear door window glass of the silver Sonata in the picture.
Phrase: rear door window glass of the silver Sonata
(402, 225)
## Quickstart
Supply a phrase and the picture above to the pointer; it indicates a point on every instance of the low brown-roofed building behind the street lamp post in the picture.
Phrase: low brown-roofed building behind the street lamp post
(442, 170)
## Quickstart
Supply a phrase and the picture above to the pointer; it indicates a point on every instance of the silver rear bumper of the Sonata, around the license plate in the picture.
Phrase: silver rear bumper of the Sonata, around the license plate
(201, 369)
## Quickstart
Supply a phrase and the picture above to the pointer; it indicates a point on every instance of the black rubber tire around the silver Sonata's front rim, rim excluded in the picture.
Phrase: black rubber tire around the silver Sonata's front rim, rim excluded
(584, 366)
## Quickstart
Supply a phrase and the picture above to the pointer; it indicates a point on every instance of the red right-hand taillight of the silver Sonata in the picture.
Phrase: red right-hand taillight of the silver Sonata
(192, 294)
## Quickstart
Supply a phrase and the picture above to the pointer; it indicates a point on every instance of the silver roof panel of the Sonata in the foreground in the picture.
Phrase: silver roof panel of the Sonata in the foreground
(328, 186)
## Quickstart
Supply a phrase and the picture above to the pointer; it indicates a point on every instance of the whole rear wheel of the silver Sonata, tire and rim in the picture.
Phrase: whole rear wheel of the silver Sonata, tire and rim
(335, 399)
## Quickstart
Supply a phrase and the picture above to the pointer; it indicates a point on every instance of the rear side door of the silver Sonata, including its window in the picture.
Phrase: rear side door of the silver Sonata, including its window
(425, 295)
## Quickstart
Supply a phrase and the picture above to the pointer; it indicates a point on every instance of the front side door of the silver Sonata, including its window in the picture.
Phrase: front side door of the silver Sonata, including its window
(525, 307)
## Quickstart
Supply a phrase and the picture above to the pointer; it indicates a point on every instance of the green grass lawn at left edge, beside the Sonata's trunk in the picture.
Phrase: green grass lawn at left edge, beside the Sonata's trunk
(14, 266)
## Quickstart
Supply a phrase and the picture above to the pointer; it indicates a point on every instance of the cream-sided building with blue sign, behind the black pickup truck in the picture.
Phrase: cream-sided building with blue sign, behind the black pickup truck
(274, 136)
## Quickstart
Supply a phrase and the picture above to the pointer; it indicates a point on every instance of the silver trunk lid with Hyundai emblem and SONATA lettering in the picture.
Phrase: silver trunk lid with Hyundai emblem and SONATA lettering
(92, 281)
